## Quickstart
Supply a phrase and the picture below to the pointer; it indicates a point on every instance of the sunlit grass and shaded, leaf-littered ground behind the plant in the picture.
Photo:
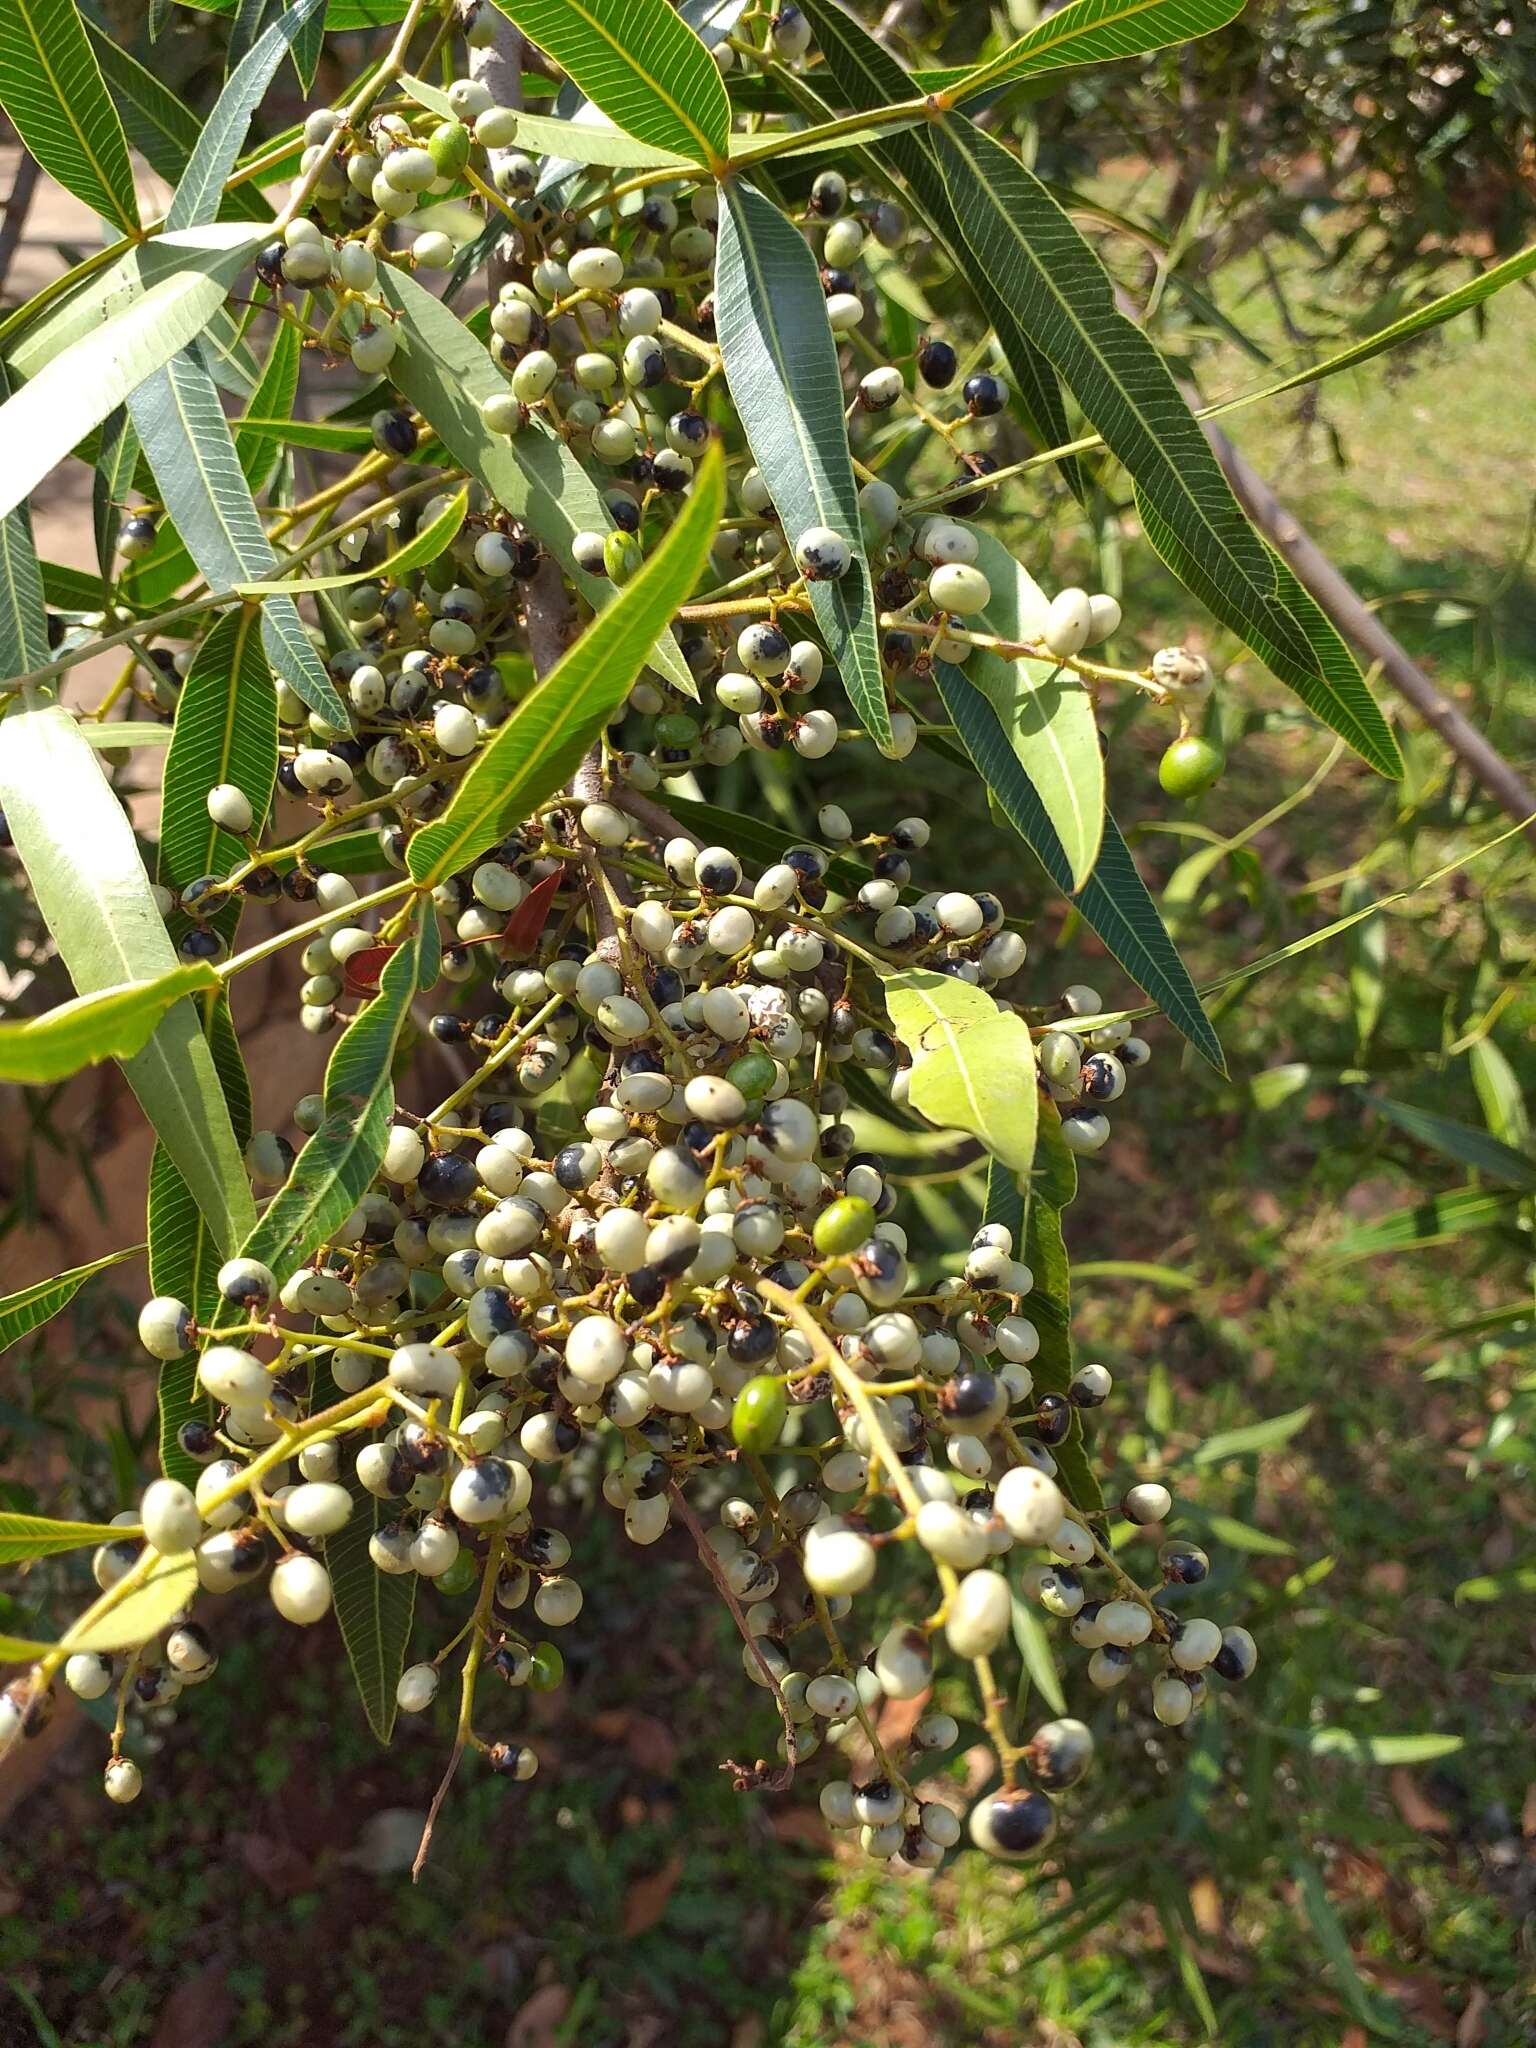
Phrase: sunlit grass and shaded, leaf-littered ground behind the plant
(1254, 1889)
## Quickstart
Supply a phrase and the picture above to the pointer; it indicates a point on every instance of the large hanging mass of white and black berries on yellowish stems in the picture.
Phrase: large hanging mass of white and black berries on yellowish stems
(640, 1250)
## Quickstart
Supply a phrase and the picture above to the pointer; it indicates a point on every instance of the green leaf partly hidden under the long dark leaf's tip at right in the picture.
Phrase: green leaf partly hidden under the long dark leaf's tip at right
(1328, 683)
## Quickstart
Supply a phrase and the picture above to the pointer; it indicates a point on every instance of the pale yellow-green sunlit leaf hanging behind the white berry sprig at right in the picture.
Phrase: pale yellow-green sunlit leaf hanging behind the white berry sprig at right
(1043, 710)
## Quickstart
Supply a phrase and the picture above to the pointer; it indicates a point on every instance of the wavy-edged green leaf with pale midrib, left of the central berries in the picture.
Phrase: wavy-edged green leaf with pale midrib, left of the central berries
(335, 1168)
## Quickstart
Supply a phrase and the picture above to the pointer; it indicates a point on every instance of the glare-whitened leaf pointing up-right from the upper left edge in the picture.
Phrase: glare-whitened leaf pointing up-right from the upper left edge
(77, 388)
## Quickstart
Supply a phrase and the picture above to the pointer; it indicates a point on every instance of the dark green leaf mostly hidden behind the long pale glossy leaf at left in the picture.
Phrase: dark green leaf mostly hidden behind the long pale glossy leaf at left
(183, 1254)
